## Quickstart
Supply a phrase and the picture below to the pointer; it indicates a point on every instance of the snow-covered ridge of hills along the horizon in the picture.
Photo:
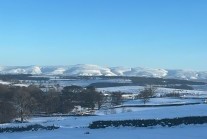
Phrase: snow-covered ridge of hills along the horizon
(95, 70)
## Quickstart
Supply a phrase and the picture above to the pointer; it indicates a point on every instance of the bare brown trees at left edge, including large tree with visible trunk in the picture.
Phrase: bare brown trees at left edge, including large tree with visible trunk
(18, 101)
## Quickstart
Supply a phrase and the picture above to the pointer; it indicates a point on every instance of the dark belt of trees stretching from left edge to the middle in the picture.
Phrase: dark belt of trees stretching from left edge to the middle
(21, 102)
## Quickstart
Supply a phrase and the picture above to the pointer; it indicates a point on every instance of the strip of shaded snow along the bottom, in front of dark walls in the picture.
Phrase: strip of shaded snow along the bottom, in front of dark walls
(181, 132)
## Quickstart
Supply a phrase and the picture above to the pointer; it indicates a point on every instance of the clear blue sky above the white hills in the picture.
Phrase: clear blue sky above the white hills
(170, 34)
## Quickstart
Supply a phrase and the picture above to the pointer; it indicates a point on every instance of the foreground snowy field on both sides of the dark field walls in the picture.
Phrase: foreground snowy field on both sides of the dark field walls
(76, 127)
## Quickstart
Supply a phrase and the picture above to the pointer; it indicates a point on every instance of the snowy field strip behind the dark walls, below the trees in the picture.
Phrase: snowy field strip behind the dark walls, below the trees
(120, 114)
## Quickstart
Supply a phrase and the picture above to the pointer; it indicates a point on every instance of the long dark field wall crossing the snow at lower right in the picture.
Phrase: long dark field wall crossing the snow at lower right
(194, 120)
